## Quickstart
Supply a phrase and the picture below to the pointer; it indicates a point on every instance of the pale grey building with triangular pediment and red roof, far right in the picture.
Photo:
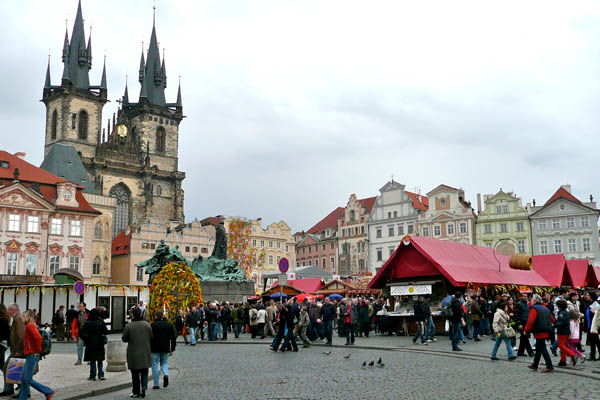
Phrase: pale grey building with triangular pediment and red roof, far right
(565, 225)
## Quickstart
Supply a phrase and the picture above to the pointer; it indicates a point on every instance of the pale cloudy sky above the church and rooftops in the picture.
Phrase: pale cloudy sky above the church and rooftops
(292, 106)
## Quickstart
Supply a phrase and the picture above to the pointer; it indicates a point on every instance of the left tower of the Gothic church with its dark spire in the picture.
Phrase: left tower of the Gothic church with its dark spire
(74, 108)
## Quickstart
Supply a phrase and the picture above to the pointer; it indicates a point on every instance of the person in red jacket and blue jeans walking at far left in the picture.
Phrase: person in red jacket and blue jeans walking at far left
(33, 348)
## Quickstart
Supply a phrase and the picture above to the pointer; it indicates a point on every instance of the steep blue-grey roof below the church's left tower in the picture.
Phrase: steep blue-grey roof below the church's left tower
(63, 161)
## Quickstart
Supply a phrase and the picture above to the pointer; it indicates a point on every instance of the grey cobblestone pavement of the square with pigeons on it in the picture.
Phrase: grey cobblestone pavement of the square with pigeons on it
(251, 371)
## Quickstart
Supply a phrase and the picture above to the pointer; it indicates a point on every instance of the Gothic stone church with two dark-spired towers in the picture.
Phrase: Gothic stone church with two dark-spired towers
(134, 160)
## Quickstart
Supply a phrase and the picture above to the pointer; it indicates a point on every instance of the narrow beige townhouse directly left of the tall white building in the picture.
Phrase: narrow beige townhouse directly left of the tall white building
(353, 237)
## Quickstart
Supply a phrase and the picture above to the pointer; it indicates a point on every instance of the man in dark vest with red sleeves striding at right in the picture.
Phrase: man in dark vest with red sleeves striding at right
(540, 324)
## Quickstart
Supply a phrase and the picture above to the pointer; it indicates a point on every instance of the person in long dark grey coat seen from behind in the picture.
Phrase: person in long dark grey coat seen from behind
(138, 335)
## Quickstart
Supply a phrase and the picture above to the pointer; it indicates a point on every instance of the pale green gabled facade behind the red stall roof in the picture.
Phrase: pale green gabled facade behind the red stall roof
(503, 219)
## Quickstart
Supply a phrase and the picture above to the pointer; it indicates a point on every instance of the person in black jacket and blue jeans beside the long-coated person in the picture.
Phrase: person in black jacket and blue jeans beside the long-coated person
(162, 343)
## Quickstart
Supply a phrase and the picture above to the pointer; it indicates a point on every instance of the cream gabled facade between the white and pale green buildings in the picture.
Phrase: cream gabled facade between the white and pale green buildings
(449, 216)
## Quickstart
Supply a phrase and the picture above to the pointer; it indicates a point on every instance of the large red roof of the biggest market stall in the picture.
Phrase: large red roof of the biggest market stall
(459, 263)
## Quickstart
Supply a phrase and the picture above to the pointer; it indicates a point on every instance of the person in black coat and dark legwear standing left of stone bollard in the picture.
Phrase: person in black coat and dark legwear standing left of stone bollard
(93, 335)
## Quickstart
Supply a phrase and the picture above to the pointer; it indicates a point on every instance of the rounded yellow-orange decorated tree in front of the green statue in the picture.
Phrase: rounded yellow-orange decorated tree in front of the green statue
(174, 288)
